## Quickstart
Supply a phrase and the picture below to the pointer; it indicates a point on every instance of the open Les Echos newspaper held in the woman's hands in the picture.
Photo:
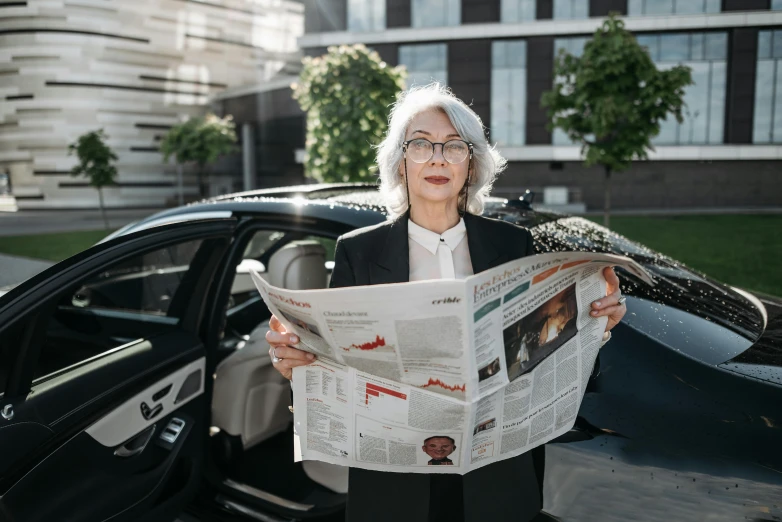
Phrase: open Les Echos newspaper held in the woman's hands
(445, 376)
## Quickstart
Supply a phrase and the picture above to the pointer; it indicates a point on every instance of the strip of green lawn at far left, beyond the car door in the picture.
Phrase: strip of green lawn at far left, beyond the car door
(50, 247)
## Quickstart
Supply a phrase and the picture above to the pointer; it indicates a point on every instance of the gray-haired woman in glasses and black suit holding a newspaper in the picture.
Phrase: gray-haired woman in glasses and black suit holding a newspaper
(436, 168)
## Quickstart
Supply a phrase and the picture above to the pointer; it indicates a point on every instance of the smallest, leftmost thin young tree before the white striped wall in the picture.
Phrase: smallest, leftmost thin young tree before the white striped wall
(95, 162)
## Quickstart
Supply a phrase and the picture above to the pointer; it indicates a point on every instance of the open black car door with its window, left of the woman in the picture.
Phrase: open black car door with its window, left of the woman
(102, 378)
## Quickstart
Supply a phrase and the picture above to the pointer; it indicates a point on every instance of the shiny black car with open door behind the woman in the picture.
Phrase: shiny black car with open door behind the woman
(136, 384)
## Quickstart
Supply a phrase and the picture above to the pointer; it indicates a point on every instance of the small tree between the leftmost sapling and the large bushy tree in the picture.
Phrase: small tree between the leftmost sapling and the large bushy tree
(201, 141)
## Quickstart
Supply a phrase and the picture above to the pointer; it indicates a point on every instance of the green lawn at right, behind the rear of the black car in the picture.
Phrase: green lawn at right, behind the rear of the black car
(741, 250)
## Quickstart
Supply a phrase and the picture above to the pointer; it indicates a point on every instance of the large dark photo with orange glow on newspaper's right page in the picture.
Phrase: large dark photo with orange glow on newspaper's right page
(538, 334)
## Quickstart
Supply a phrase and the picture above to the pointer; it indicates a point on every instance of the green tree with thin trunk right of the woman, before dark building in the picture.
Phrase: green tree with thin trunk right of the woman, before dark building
(611, 100)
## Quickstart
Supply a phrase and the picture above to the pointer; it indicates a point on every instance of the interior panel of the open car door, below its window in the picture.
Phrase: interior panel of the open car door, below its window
(80, 414)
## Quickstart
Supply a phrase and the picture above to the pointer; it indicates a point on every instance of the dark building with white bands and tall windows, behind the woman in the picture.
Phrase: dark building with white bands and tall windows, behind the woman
(498, 56)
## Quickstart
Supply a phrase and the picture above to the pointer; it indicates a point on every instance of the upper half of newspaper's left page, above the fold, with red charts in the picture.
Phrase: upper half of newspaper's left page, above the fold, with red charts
(413, 334)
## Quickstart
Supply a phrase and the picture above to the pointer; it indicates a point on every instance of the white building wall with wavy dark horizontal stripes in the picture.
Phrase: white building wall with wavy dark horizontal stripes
(131, 67)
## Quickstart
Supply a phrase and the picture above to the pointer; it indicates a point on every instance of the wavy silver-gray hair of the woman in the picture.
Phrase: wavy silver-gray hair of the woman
(487, 163)
